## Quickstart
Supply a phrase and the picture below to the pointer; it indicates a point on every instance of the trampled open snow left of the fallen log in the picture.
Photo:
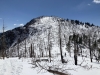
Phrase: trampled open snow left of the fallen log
(14, 66)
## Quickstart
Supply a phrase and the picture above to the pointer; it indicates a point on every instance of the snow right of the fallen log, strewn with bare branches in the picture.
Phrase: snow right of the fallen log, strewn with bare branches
(86, 67)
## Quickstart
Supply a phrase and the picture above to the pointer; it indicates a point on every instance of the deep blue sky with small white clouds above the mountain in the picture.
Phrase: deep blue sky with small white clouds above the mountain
(19, 12)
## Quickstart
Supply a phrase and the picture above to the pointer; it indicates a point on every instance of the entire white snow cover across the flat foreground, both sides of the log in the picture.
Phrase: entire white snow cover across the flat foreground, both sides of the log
(14, 66)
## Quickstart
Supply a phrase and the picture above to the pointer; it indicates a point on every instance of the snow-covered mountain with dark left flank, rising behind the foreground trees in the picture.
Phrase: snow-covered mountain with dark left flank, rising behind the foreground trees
(36, 32)
